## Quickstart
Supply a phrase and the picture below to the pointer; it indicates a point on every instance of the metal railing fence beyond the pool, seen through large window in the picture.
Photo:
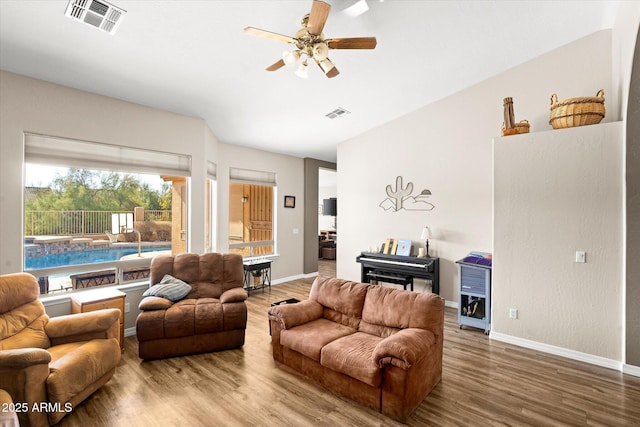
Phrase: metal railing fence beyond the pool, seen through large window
(73, 223)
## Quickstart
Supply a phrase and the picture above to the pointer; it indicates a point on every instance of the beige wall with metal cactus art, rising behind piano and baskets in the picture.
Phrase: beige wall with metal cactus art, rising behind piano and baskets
(446, 147)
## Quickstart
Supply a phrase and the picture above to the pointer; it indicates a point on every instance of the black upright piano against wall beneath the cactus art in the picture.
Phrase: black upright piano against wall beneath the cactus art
(399, 269)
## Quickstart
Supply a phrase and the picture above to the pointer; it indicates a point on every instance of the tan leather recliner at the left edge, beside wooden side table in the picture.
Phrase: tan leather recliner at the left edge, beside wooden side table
(50, 365)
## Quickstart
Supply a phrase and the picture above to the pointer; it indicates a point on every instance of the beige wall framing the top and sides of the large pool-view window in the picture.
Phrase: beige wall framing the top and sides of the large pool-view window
(29, 105)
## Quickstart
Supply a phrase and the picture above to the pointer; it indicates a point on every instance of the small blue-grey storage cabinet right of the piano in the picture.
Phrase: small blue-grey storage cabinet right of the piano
(474, 290)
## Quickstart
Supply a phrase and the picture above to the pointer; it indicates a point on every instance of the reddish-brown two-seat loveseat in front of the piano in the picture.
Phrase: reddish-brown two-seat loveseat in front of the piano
(379, 346)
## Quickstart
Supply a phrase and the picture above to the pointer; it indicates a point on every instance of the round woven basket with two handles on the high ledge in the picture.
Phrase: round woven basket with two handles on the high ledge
(576, 111)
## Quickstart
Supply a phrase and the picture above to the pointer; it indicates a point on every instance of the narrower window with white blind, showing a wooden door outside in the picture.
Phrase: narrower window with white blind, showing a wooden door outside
(251, 212)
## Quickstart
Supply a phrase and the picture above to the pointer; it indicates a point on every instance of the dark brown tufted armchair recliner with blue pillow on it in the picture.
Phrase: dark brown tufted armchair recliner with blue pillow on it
(213, 316)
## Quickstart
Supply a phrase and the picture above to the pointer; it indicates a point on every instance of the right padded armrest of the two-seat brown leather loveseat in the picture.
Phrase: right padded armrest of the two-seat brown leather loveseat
(404, 348)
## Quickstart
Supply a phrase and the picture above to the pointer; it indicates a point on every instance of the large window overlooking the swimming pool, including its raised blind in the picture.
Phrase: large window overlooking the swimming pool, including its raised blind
(95, 214)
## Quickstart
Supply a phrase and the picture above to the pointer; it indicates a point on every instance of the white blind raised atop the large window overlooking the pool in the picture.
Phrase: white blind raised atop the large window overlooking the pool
(57, 151)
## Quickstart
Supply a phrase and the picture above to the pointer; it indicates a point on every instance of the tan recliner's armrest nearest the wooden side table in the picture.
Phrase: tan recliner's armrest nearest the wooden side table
(84, 326)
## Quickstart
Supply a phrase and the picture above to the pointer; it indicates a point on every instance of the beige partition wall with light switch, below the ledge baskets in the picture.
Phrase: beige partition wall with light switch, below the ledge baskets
(555, 193)
